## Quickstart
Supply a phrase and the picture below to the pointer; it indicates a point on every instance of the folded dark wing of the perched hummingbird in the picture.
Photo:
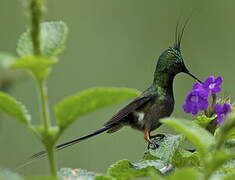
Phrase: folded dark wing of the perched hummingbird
(132, 106)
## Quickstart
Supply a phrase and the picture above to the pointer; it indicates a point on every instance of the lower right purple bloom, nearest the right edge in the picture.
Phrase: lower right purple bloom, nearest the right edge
(222, 111)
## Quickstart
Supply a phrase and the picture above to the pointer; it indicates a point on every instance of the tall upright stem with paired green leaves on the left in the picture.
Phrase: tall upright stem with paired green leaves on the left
(38, 49)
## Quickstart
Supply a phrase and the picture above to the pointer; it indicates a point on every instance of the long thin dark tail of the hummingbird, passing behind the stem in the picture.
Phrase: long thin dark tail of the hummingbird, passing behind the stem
(65, 145)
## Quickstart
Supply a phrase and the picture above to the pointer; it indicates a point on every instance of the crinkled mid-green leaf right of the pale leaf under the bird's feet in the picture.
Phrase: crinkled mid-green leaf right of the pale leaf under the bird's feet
(183, 158)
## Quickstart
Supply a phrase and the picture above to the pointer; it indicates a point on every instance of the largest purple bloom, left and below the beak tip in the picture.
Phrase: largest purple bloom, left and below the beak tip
(196, 100)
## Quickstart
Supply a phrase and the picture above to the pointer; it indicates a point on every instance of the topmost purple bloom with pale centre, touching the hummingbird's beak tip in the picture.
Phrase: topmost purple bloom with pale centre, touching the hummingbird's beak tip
(213, 84)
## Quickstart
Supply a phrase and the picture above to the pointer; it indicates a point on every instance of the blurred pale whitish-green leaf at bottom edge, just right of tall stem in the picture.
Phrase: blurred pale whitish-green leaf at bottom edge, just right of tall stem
(68, 173)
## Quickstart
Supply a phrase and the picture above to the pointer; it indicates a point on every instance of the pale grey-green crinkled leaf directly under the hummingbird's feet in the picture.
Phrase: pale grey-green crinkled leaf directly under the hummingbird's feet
(167, 147)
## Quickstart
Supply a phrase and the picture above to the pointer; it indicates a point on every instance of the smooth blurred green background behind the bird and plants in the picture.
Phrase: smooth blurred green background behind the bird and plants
(114, 43)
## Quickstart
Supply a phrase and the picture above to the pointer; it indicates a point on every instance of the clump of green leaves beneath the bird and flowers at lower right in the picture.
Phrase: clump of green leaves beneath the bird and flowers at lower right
(170, 161)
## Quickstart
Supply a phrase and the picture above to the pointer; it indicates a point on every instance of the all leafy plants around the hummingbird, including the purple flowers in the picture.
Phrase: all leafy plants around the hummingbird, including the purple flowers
(211, 141)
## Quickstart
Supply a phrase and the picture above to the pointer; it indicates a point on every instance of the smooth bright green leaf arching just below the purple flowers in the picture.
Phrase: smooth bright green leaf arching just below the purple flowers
(198, 136)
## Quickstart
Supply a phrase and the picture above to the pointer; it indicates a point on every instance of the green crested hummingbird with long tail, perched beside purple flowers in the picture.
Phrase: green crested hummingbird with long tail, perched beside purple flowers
(156, 102)
